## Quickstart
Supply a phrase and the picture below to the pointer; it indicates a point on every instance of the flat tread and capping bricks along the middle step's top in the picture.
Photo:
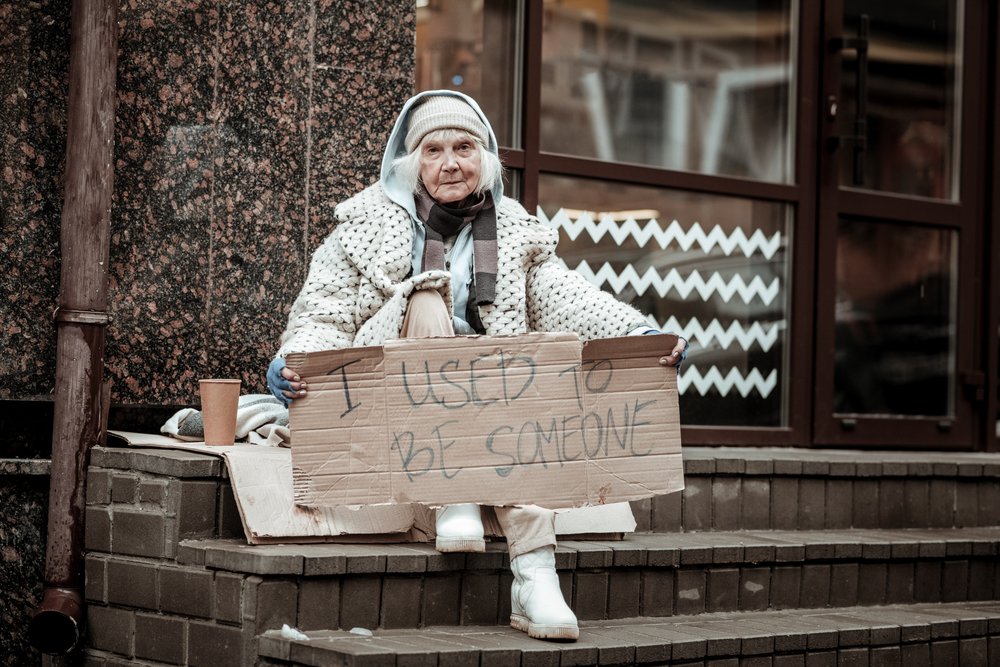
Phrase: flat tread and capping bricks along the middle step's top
(635, 550)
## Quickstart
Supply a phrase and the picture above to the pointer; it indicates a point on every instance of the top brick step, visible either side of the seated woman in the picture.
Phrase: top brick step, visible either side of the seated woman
(142, 502)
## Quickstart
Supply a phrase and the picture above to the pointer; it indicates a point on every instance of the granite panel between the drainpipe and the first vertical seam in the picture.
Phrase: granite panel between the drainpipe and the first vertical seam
(160, 247)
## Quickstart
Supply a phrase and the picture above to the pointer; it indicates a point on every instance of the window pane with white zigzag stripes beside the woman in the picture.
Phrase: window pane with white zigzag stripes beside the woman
(711, 268)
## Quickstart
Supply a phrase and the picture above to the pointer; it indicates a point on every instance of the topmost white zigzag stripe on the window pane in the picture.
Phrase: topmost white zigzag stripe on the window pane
(673, 233)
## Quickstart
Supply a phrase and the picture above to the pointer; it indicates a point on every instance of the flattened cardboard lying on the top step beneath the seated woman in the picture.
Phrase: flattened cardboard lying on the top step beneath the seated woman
(261, 479)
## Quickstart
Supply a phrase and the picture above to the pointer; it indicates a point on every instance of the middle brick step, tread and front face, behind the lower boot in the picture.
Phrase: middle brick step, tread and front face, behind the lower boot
(226, 582)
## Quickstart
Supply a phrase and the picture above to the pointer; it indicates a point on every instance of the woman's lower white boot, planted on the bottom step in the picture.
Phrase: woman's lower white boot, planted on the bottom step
(536, 602)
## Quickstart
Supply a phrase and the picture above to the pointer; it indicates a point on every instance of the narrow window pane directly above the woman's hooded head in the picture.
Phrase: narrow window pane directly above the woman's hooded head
(473, 47)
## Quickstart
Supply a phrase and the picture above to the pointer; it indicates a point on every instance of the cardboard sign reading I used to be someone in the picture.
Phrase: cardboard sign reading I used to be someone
(532, 419)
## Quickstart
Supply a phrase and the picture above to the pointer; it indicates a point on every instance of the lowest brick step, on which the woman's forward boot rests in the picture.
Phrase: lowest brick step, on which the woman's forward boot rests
(966, 634)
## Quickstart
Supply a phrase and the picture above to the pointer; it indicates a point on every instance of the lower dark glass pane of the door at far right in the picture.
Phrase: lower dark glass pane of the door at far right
(894, 319)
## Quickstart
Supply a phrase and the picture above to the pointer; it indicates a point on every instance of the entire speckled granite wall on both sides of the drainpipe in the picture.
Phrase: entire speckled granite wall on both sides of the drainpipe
(239, 125)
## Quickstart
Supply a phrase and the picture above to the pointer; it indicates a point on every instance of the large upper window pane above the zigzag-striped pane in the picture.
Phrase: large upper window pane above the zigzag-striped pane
(690, 85)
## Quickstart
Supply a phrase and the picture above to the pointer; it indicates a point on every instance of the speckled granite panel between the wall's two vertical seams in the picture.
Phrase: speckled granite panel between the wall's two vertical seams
(259, 204)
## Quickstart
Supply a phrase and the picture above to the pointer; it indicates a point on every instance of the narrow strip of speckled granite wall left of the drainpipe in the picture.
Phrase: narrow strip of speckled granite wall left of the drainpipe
(34, 43)
